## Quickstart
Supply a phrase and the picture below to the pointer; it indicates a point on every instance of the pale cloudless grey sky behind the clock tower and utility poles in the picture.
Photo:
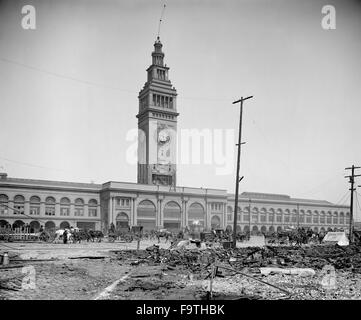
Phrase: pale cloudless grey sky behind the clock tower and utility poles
(69, 88)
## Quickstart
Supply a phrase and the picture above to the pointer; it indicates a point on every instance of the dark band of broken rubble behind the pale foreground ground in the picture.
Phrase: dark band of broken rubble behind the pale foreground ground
(195, 260)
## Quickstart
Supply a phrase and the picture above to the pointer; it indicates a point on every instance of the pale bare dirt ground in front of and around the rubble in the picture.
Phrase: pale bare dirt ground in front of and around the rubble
(96, 271)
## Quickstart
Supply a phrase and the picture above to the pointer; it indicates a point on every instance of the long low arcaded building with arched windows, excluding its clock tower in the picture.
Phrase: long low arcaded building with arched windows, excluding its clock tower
(61, 204)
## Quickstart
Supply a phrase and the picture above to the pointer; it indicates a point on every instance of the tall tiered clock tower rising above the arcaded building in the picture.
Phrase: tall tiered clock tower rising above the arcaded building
(157, 124)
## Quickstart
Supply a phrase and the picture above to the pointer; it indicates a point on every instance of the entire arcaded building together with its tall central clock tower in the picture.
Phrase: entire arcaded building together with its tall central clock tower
(155, 201)
